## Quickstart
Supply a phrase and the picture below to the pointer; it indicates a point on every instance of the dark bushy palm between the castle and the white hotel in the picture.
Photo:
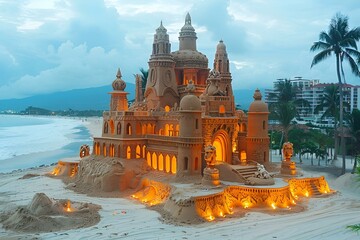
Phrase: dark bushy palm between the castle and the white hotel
(284, 107)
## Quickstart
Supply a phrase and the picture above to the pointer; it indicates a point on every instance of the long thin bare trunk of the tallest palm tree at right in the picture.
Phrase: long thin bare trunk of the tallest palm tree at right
(342, 141)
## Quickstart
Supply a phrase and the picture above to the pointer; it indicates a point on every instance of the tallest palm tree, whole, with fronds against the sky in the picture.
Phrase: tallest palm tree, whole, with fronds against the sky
(341, 41)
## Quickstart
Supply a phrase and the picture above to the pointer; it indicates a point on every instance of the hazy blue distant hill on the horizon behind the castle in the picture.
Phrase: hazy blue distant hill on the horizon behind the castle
(96, 98)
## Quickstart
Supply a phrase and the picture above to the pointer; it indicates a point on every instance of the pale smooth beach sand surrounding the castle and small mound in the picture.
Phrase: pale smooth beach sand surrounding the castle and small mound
(125, 218)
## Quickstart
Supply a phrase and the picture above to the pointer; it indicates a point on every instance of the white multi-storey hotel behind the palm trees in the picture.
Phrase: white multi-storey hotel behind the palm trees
(313, 91)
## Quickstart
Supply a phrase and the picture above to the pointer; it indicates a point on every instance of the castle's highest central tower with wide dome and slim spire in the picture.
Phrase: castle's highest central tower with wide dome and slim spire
(190, 64)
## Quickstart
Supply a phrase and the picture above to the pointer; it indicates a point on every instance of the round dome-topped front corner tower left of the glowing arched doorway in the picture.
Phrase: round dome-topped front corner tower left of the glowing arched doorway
(190, 135)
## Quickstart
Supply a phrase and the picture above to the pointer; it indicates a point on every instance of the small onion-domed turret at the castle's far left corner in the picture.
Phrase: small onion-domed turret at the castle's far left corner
(118, 100)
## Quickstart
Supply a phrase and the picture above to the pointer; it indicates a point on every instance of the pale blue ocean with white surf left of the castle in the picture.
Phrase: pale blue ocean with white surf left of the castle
(31, 141)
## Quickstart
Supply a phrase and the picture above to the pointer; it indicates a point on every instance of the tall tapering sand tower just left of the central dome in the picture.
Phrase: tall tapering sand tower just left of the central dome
(161, 88)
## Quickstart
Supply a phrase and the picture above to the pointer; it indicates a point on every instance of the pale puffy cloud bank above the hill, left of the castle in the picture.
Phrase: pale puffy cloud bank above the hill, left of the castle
(78, 67)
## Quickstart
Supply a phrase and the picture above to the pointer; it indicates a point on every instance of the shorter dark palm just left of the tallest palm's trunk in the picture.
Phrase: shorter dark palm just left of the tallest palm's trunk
(330, 102)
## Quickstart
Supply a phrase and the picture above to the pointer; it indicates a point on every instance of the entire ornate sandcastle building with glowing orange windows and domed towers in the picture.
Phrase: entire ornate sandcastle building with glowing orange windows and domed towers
(184, 108)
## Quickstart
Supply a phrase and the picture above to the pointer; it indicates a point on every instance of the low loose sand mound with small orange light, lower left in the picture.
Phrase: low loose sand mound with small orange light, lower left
(43, 214)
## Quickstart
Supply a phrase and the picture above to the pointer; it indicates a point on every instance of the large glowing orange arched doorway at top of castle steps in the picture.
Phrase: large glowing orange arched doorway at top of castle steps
(221, 142)
